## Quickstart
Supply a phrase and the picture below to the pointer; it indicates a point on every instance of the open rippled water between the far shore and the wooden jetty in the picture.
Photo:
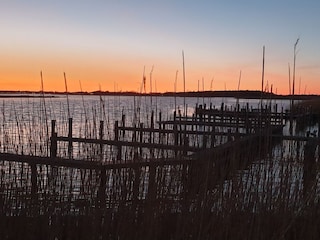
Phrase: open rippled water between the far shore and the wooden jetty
(26, 122)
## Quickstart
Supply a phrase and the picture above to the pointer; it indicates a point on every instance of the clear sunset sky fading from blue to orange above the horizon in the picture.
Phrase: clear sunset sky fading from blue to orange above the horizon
(107, 44)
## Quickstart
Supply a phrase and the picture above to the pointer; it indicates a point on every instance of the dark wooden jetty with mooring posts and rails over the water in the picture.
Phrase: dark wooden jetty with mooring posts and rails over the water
(189, 152)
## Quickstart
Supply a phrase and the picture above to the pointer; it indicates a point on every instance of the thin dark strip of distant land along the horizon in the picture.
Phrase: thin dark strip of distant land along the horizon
(244, 94)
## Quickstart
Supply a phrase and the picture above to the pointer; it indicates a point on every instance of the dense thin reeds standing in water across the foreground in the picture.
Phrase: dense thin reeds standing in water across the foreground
(263, 192)
